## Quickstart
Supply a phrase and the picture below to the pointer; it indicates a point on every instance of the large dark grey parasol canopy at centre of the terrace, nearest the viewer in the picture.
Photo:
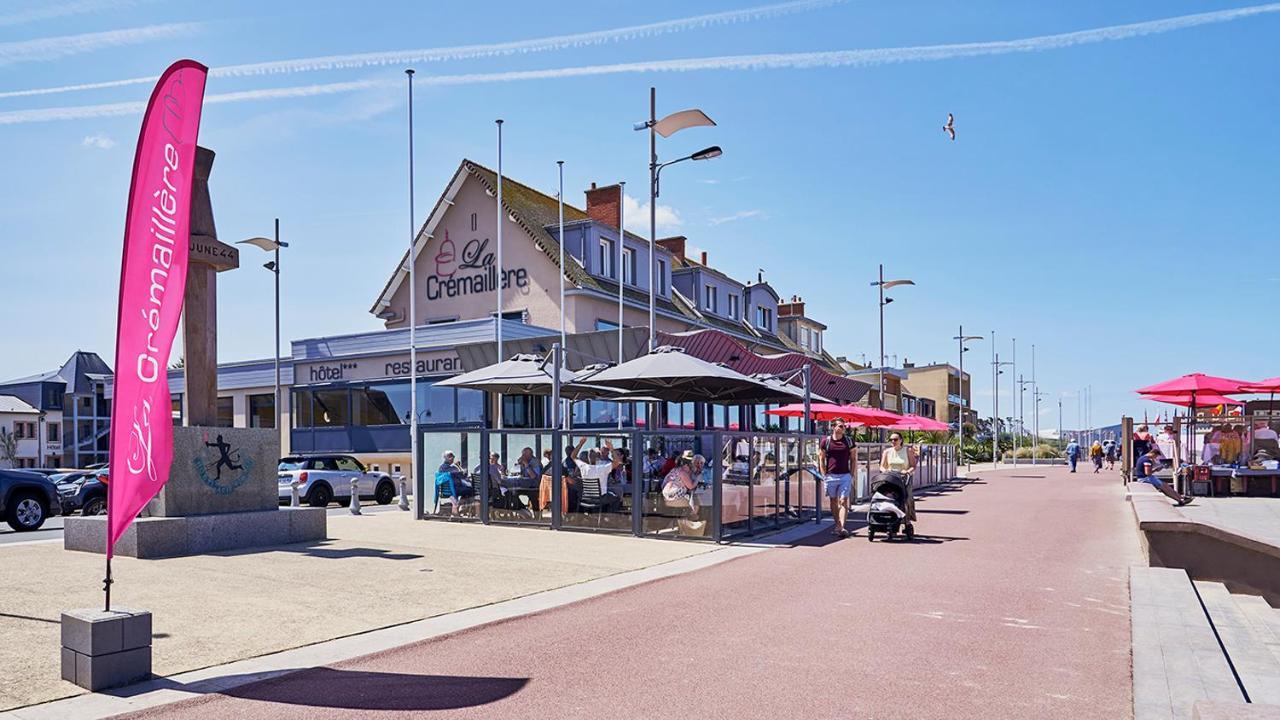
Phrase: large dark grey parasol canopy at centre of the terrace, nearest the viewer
(670, 375)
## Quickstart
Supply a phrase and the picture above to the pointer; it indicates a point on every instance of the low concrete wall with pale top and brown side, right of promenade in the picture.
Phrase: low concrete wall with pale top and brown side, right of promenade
(1206, 552)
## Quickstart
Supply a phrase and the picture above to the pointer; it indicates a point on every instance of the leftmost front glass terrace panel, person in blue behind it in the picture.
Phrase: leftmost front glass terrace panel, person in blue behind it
(450, 486)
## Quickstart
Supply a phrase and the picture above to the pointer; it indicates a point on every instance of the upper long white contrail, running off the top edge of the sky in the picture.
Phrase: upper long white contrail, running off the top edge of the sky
(468, 52)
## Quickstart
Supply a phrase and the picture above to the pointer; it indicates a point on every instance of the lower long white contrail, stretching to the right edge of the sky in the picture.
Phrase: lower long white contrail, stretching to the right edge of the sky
(828, 60)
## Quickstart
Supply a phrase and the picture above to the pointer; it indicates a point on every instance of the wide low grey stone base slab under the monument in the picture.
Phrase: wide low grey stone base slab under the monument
(195, 535)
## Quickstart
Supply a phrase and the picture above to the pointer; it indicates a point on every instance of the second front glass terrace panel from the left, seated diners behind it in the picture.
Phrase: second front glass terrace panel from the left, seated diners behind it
(520, 489)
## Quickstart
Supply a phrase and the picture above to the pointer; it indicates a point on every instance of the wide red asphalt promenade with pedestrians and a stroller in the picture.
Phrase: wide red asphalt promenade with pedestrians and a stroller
(1013, 603)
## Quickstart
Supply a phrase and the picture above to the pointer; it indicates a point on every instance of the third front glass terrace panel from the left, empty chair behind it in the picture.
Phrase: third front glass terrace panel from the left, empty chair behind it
(601, 487)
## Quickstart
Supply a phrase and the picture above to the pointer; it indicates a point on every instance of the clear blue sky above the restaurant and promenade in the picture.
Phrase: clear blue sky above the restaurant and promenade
(1112, 202)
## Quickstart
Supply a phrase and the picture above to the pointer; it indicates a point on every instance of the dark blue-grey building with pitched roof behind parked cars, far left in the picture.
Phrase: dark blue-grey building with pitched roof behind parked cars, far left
(74, 414)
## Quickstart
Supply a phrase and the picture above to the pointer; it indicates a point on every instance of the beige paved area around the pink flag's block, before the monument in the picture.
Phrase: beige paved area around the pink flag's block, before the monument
(374, 572)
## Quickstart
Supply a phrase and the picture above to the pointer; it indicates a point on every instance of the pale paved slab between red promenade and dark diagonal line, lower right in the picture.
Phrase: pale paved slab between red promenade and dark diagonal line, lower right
(1177, 659)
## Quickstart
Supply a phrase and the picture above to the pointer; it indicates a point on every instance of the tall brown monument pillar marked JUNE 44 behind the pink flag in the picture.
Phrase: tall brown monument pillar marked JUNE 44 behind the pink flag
(207, 259)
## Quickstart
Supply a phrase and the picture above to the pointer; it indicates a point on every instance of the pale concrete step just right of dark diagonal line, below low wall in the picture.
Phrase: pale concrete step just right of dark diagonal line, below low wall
(1246, 646)
